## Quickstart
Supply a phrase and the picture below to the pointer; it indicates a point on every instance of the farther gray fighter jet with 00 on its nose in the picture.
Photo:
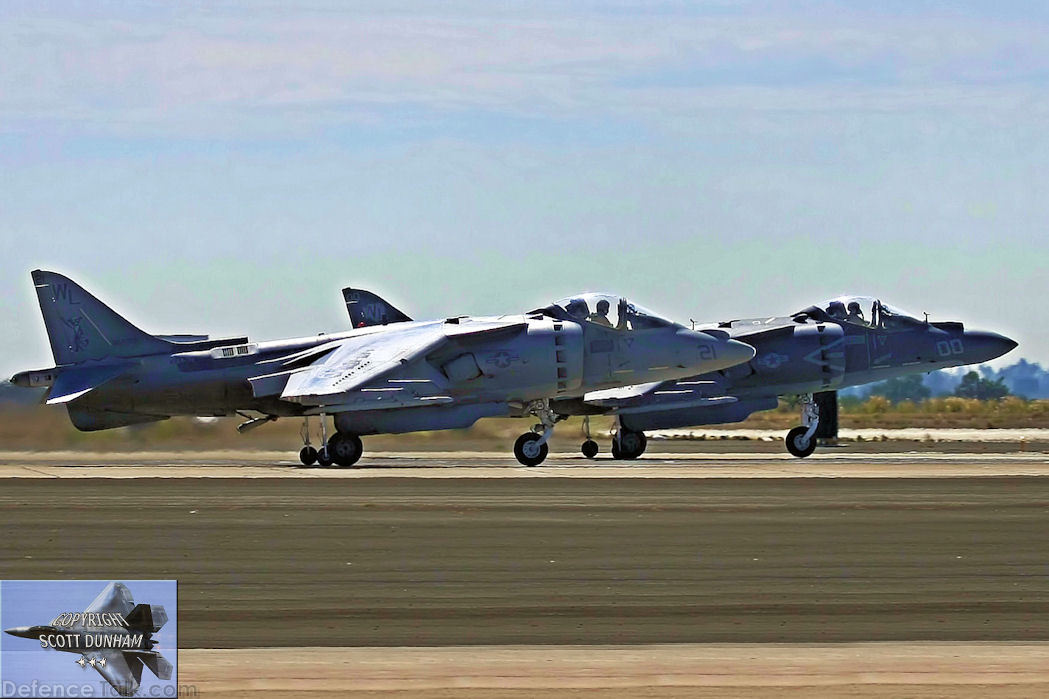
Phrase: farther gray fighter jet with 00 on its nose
(848, 342)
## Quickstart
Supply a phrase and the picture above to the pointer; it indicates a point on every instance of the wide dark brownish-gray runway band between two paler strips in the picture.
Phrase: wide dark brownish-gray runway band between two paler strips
(411, 562)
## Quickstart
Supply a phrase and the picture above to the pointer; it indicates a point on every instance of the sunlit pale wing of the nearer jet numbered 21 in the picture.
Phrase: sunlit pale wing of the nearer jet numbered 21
(387, 370)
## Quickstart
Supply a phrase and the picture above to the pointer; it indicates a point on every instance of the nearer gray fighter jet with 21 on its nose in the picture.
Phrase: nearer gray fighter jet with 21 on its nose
(399, 377)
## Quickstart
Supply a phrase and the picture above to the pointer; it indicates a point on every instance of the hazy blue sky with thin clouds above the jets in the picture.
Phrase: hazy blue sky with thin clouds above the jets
(229, 167)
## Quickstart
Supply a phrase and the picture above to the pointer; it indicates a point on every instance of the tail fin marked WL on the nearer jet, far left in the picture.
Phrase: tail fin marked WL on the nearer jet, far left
(81, 328)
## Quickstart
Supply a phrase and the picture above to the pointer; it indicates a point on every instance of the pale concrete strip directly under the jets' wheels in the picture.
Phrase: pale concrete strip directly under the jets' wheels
(827, 463)
